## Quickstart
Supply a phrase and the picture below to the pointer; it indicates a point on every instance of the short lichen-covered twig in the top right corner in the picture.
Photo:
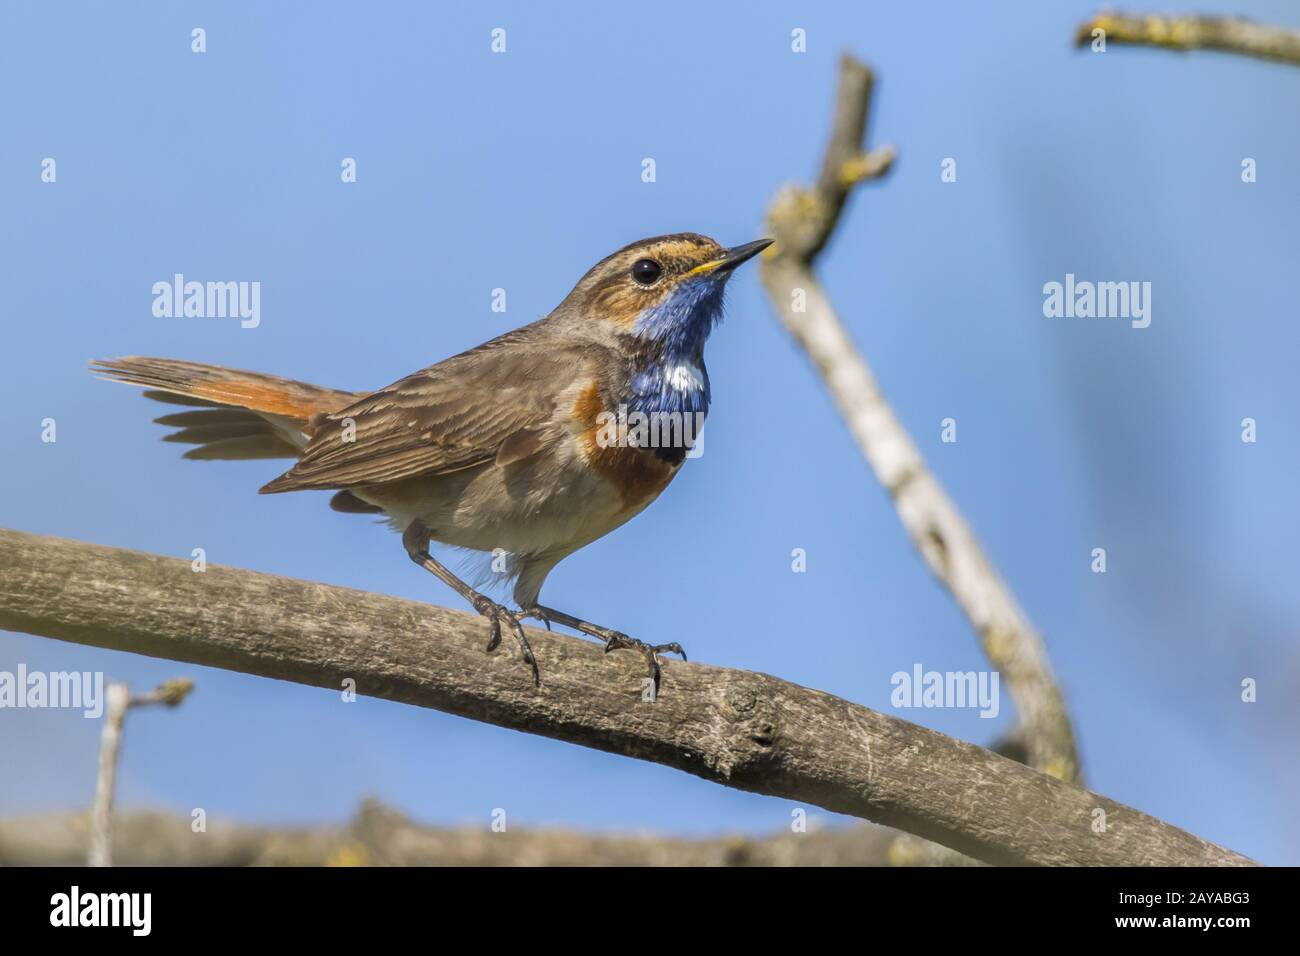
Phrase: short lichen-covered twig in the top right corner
(1227, 34)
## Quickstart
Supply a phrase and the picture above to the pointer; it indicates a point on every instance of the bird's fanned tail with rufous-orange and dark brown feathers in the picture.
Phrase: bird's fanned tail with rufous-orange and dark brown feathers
(237, 414)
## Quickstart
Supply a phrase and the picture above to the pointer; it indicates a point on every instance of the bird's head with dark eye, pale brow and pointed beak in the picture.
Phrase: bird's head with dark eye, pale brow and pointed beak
(668, 291)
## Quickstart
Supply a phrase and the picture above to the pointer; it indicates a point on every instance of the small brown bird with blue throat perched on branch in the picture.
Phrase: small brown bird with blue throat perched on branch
(510, 448)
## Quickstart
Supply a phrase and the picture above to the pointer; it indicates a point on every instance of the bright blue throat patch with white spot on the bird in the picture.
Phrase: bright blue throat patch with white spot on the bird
(681, 327)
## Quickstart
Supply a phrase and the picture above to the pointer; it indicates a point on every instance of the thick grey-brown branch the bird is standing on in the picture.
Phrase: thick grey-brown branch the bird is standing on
(735, 728)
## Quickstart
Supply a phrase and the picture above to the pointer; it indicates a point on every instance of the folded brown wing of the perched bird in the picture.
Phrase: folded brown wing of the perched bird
(449, 417)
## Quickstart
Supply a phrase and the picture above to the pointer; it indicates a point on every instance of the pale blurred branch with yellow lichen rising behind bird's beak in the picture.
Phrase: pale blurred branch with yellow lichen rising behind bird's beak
(801, 220)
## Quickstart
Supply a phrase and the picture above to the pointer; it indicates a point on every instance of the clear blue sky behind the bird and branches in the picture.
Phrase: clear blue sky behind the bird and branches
(519, 171)
